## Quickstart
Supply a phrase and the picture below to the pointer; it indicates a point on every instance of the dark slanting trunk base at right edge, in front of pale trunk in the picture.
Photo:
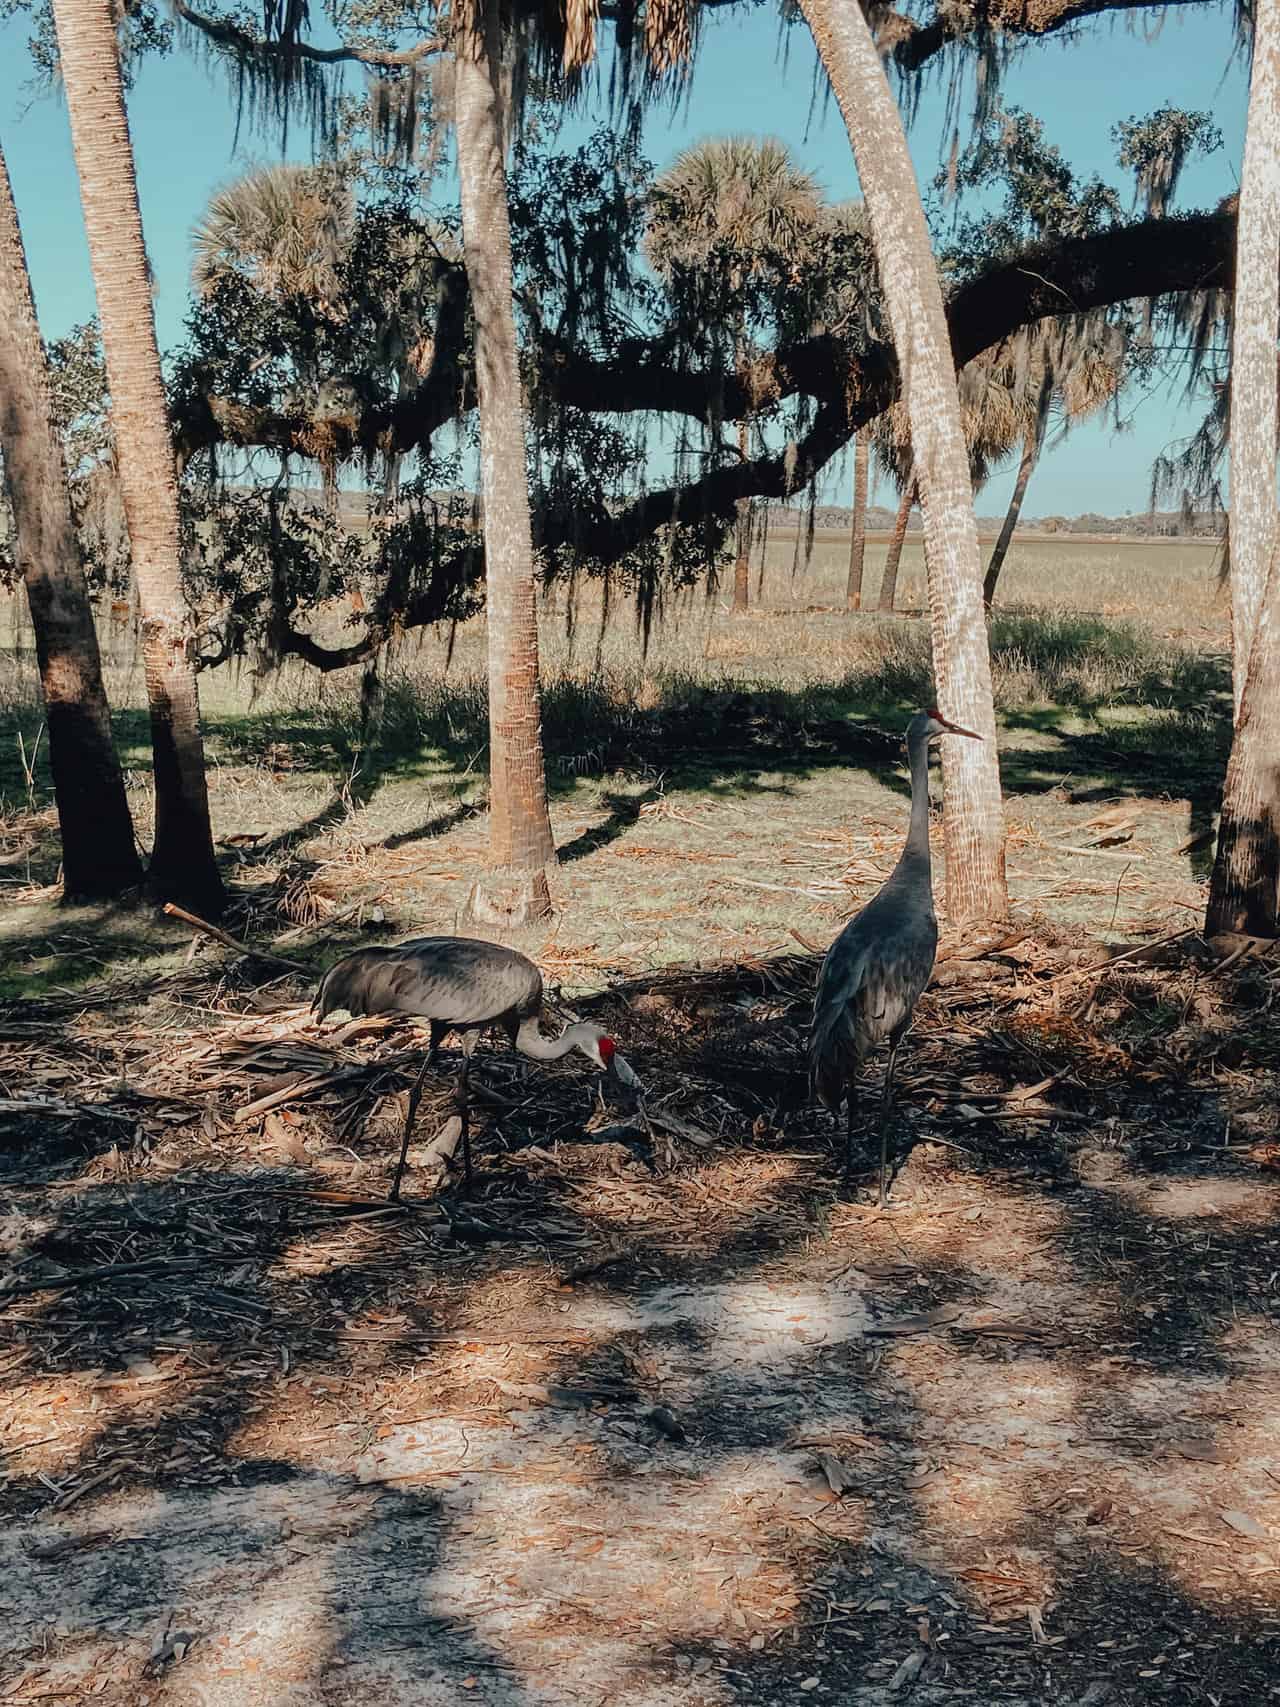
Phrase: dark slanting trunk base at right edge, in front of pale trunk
(1245, 888)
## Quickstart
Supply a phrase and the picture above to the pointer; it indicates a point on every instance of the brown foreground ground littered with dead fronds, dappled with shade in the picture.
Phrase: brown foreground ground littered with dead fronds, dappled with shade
(666, 1416)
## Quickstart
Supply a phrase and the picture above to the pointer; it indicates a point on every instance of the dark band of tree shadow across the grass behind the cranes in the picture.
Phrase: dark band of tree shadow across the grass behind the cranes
(1120, 726)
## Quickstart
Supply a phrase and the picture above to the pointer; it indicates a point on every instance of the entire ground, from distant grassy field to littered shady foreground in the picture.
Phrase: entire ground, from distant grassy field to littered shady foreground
(660, 1414)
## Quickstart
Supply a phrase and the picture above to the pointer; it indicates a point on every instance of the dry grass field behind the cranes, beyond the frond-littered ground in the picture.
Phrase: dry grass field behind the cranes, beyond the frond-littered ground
(733, 784)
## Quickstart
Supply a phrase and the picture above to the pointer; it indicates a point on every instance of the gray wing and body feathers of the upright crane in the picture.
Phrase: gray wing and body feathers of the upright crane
(871, 981)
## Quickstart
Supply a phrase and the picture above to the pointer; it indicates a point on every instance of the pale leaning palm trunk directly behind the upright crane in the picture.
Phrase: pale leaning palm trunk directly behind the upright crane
(975, 837)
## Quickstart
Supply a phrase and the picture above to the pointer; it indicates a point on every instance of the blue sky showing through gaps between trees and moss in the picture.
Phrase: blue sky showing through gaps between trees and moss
(185, 141)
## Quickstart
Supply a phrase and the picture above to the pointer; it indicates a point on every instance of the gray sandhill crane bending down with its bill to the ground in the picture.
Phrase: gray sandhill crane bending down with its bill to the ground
(467, 986)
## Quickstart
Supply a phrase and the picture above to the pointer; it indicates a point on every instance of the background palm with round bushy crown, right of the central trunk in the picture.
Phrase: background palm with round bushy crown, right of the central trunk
(726, 214)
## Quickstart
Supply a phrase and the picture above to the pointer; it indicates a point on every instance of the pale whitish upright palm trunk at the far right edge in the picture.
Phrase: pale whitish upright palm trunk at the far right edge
(1255, 320)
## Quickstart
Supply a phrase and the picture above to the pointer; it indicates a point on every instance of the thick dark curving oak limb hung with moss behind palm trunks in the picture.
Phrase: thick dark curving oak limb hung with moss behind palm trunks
(1144, 260)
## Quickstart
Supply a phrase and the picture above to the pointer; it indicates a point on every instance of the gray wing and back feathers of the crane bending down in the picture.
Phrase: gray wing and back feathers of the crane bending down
(458, 981)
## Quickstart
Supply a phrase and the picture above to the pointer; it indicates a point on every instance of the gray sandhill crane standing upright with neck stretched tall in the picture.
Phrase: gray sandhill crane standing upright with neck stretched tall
(880, 964)
